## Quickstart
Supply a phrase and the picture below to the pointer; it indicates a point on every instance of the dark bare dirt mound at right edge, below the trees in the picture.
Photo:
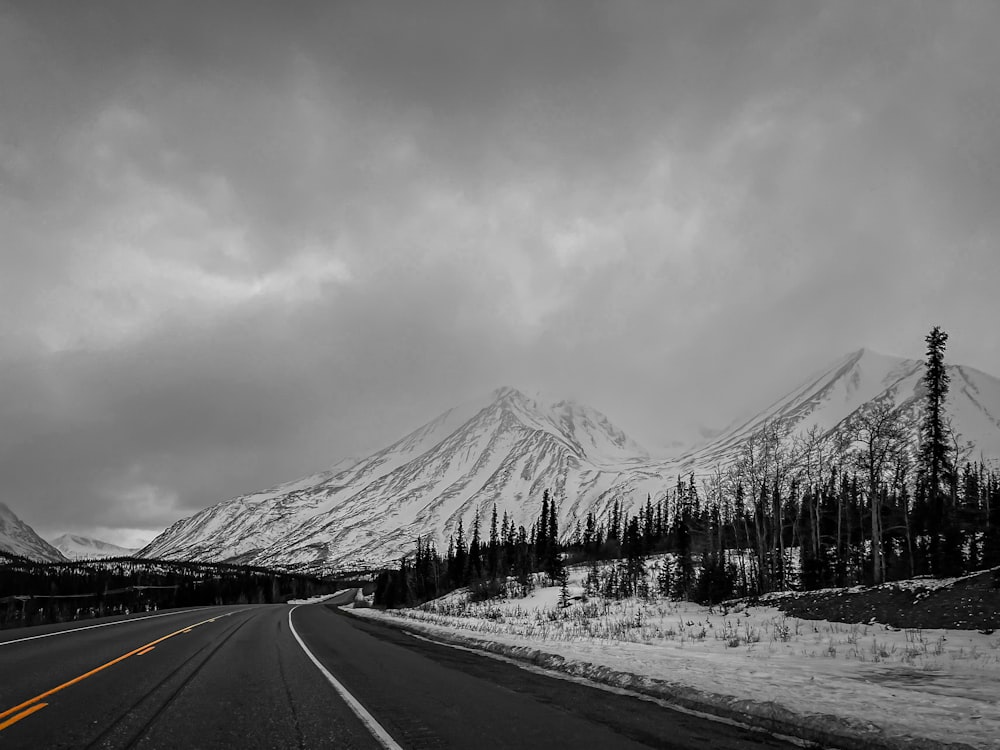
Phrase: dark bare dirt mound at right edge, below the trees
(970, 603)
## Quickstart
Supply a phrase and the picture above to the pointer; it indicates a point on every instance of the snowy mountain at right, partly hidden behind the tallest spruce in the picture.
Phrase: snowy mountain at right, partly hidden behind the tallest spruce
(830, 398)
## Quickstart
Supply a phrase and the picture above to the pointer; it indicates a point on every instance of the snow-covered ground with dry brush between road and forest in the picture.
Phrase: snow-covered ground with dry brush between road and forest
(942, 685)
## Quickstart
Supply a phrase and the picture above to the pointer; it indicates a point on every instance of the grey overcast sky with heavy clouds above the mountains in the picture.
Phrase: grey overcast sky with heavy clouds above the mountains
(241, 241)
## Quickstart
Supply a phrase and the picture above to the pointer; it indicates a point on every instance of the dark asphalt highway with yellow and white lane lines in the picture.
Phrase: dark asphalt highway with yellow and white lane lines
(240, 677)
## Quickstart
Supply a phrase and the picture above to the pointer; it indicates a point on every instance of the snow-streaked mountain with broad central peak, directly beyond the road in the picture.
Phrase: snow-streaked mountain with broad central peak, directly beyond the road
(505, 450)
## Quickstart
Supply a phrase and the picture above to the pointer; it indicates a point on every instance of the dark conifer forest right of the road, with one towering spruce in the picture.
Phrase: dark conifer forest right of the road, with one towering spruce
(865, 504)
